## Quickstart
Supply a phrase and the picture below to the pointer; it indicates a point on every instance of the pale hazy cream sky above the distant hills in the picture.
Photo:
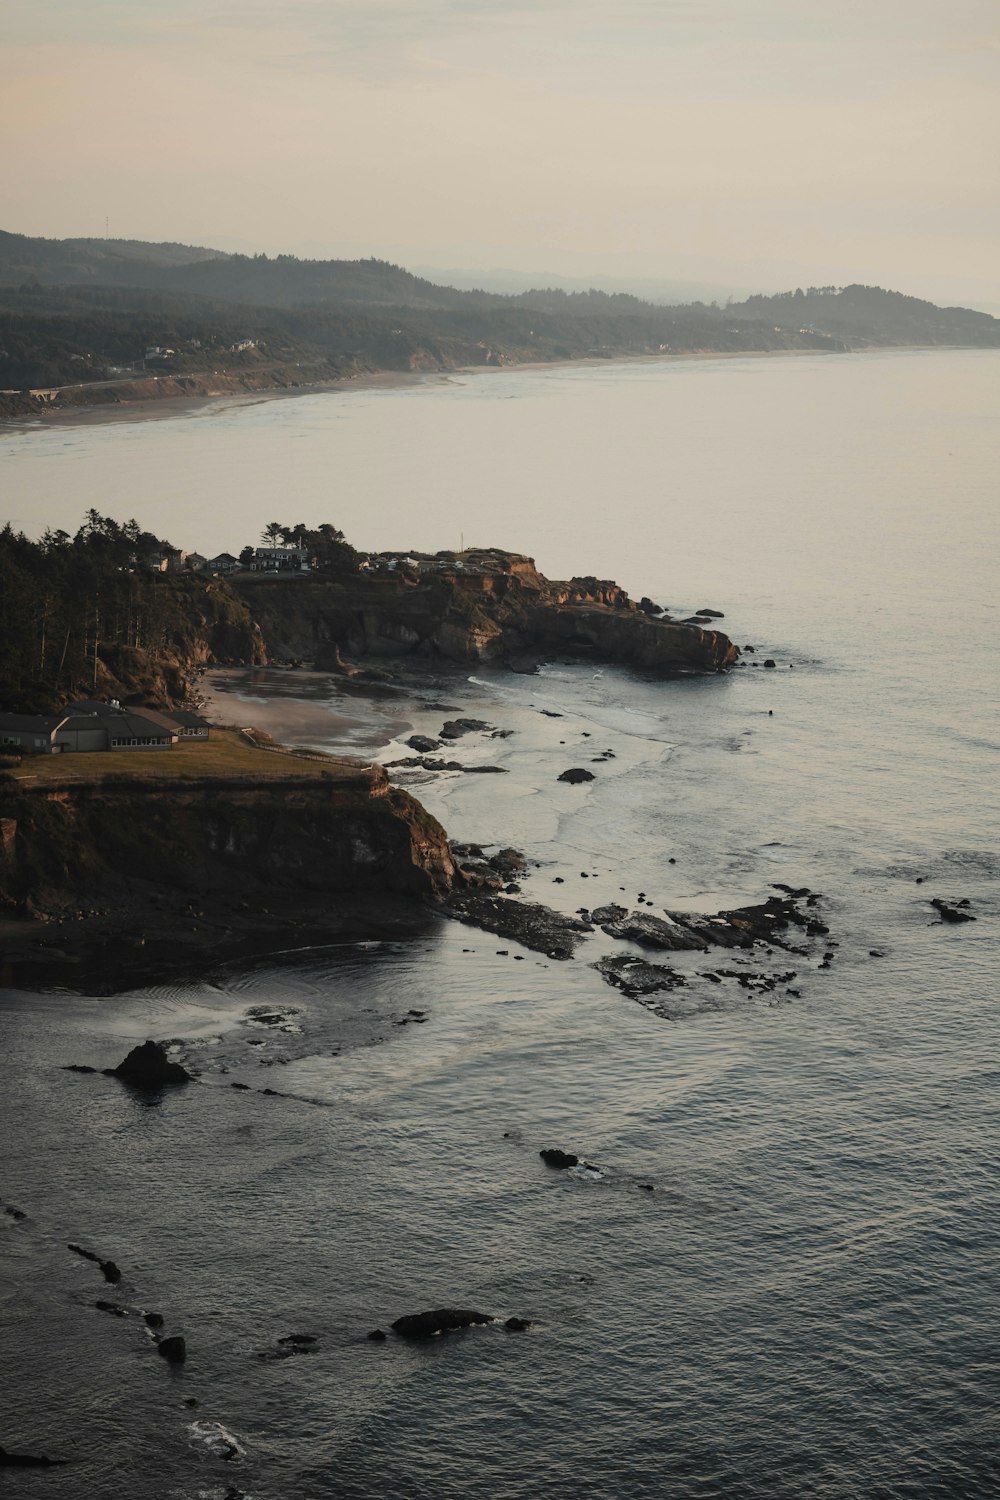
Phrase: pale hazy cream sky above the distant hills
(756, 143)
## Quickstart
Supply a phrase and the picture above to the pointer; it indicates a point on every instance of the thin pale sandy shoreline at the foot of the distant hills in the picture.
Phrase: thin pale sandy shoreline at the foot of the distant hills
(152, 407)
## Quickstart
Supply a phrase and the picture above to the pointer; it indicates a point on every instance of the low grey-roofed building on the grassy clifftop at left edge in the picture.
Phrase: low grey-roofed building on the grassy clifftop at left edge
(94, 727)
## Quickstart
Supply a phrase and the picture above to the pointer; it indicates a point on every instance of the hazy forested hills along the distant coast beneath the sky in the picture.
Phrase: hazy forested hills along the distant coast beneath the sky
(121, 320)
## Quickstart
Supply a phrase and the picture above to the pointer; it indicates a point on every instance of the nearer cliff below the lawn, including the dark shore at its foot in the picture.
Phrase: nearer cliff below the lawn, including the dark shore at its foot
(134, 877)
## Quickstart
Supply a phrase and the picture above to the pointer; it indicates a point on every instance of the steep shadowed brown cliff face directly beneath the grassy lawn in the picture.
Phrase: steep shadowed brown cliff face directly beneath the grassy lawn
(100, 842)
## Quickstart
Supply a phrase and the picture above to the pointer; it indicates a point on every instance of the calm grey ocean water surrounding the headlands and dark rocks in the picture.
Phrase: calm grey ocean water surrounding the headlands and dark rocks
(806, 1303)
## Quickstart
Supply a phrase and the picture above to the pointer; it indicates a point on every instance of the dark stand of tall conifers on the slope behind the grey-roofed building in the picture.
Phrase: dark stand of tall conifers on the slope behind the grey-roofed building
(80, 616)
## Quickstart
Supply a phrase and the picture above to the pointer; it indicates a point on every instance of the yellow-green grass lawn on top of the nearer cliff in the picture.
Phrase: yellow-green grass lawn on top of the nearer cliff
(229, 755)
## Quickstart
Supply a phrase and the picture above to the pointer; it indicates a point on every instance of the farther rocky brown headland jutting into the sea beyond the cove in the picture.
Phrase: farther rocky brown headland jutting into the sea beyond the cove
(484, 605)
